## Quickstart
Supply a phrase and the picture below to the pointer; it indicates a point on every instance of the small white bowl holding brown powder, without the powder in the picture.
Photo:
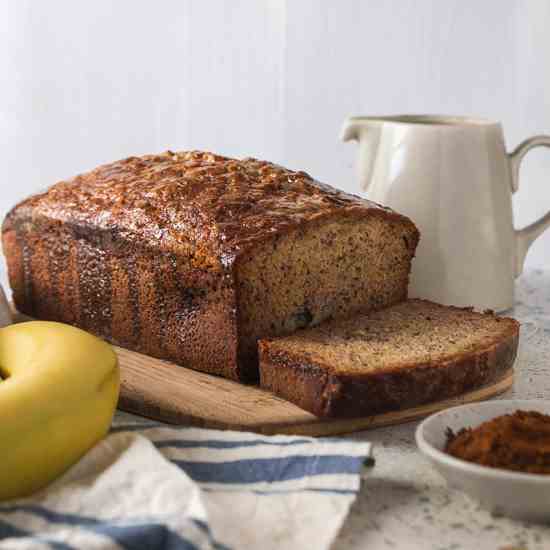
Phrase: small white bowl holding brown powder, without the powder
(514, 494)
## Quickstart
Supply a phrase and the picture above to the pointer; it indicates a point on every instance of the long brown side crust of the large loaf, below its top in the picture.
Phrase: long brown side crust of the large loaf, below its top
(142, 301)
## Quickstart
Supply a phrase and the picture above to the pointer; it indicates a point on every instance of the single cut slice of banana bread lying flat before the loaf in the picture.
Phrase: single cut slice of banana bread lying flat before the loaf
(411, 353)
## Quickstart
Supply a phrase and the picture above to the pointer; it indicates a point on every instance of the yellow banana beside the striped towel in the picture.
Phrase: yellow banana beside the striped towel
(58, 393)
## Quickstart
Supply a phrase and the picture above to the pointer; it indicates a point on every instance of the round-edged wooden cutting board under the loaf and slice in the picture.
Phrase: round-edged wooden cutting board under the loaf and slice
(163, 391)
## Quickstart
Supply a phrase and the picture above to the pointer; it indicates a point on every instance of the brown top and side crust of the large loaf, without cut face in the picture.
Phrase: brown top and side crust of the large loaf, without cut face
(145, 251)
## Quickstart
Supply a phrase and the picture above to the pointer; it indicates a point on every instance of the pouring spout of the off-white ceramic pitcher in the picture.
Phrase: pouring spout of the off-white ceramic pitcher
(368, 139)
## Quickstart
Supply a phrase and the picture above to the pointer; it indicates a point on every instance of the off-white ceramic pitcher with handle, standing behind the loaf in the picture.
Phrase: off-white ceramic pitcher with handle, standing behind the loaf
(453, 177)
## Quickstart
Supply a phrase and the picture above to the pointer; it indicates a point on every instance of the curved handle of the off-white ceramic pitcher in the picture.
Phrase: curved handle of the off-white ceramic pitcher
(526, 236)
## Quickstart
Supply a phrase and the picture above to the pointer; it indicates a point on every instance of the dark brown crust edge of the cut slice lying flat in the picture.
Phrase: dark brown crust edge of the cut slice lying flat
(326, 394)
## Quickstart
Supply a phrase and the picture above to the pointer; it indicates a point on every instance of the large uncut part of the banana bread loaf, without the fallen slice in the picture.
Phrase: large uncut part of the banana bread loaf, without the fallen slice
(192, 256)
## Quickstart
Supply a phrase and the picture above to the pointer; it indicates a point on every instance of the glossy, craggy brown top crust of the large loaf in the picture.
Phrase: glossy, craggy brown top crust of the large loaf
(196, 203)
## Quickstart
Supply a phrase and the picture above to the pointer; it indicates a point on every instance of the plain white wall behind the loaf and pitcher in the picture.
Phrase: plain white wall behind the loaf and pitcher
(88, 82)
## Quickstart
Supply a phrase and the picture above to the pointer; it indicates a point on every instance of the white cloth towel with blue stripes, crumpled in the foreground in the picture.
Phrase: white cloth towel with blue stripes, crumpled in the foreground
(151, 486)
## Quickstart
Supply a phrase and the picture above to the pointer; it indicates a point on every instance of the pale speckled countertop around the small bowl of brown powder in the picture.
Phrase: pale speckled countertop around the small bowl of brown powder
(405, 504)
